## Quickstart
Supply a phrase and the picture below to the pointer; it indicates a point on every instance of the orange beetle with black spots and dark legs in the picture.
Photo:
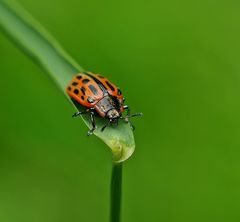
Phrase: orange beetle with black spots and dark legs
(99, 97)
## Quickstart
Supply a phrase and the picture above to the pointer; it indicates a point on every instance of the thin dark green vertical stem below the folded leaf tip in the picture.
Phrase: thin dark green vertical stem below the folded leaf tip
(116, 192)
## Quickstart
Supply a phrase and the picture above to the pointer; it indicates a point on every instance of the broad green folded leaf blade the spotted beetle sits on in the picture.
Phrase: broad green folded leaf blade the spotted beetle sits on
(36, 42)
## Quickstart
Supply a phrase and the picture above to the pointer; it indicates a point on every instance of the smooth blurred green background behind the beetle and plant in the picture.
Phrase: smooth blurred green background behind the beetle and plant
(178, 63)
